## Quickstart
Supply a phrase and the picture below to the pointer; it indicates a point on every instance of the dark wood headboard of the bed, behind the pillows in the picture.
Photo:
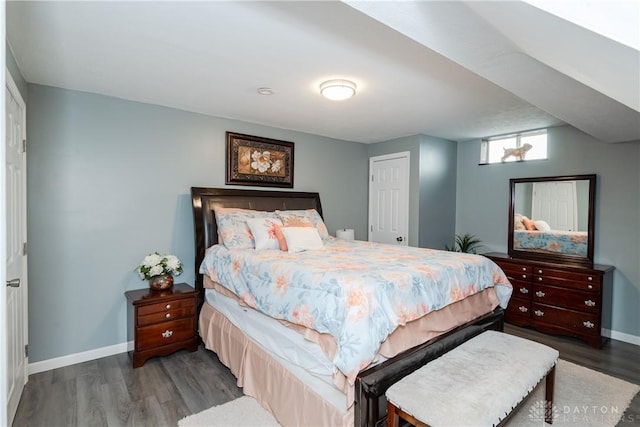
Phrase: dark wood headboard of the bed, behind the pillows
(204, 200)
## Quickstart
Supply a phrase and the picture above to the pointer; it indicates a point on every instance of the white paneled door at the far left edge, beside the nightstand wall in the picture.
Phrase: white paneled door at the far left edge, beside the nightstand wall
(16, 262)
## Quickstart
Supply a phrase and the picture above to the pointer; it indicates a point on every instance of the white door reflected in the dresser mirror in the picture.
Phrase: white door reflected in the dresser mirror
(556, 203)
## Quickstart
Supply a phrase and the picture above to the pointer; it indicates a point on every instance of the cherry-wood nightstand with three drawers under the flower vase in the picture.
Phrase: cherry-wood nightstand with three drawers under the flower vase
(161, 321)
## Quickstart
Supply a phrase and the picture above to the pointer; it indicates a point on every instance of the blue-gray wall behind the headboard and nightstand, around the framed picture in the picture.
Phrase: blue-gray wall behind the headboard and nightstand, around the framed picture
(108, 183)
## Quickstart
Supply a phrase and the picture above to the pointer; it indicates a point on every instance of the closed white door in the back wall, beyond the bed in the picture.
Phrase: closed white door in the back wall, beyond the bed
(389, 199)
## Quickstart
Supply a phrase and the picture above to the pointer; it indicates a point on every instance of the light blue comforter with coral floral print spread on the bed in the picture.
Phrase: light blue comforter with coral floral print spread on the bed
(359, 292)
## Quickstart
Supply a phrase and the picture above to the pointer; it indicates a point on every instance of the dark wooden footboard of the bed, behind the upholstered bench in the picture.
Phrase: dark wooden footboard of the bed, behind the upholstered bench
(371, 384)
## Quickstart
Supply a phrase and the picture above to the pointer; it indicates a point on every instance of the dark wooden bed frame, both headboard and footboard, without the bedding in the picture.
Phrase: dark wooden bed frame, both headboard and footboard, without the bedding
(371, 384)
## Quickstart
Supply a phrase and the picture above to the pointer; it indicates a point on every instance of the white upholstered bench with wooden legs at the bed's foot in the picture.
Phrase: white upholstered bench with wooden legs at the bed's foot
(478, 383)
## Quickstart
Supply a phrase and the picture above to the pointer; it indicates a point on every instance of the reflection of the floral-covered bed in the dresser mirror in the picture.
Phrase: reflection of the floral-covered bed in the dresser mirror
(552, 241)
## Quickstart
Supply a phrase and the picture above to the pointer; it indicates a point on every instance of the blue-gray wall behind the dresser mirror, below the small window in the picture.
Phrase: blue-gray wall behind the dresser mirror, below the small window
(483, 195)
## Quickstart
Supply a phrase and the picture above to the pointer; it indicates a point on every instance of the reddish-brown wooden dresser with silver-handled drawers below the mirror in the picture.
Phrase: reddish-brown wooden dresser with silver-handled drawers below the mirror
(557, 298)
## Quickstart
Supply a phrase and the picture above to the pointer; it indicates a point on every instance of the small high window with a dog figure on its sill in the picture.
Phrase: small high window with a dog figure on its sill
(517, 147)
